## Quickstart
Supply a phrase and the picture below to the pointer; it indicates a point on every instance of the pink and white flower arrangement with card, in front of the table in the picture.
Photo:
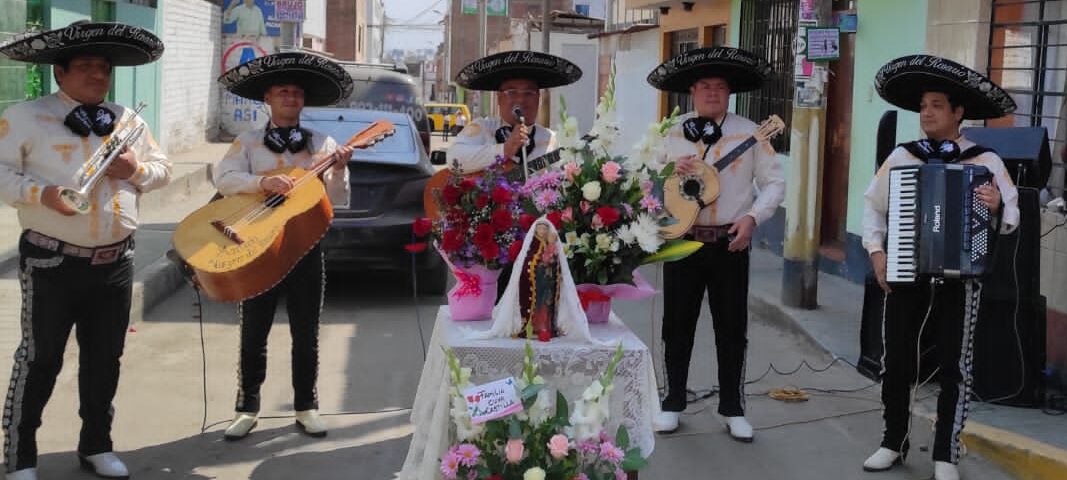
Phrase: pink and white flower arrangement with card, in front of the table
(542, 442)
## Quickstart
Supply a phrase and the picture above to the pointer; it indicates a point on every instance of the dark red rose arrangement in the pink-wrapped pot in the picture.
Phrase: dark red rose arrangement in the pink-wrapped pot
(480, 220)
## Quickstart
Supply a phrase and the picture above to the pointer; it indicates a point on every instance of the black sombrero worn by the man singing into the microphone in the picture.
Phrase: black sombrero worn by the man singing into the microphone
(546, 70)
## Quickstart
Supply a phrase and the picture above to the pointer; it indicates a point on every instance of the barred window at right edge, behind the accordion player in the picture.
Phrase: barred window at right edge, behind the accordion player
(1028, 58)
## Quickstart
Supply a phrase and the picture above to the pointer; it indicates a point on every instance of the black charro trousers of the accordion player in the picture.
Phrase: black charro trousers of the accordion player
(950, 311)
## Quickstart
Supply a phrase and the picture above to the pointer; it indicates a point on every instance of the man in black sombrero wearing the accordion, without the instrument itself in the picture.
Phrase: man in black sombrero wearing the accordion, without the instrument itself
(945, 93)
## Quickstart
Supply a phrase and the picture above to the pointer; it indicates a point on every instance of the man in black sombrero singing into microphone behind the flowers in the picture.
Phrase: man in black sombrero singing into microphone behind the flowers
(518, 78)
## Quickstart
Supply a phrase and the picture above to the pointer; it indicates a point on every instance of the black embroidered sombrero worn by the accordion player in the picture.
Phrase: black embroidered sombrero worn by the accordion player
(903, 83)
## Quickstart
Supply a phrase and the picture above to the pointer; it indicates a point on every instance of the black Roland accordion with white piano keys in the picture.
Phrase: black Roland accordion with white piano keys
(937, 226)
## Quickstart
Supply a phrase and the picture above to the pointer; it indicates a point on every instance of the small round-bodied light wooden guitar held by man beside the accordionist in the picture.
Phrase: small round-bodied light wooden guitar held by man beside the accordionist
(686, 196)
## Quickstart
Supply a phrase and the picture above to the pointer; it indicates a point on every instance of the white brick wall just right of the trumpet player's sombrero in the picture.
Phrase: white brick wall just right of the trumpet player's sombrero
(190, 67)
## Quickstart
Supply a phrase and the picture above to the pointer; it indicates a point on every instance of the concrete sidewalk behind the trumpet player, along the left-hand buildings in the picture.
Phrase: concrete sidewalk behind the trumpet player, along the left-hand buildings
(155, 278)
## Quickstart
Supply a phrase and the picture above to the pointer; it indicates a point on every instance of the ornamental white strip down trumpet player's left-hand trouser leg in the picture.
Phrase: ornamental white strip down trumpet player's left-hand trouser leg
(26, 354)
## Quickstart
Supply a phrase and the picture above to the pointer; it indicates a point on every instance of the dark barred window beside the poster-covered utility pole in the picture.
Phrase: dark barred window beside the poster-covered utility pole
(768, 29)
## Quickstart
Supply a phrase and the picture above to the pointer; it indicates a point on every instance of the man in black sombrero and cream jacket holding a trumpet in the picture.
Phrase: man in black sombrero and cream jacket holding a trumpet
(75, 270)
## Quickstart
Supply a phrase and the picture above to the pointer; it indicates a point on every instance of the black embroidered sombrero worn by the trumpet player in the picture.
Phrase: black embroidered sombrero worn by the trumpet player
(123, 45)
